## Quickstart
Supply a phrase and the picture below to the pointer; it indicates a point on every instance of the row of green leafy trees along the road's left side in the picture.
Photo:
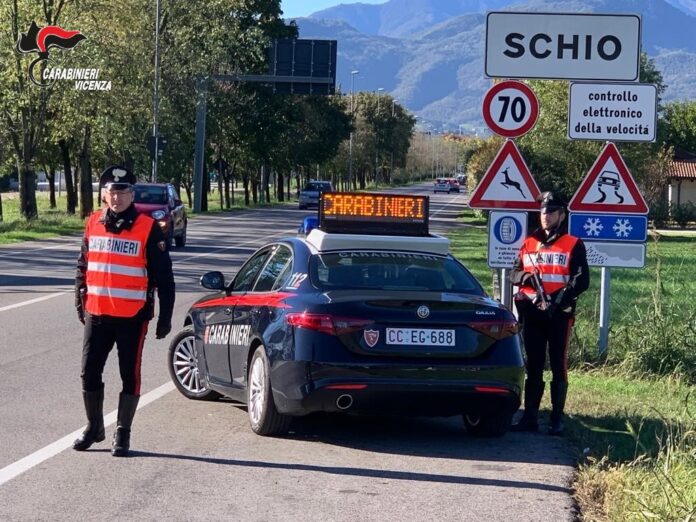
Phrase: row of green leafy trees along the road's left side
(254, 138)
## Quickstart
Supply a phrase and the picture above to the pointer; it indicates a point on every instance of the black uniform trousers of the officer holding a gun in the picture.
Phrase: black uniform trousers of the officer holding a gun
(539, 332)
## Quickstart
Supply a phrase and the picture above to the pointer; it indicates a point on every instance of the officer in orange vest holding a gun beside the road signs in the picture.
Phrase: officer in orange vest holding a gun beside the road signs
(551, 271)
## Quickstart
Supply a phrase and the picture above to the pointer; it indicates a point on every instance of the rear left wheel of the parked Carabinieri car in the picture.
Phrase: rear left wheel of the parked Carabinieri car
(264, 418)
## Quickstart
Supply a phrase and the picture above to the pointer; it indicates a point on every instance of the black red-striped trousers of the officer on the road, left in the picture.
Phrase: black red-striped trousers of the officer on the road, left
(128, 334)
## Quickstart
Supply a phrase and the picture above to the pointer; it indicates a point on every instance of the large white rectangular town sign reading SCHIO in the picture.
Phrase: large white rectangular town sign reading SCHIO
(563, 46)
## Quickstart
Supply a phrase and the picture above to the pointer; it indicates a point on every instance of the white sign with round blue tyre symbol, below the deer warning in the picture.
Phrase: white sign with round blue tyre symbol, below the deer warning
(506, 233)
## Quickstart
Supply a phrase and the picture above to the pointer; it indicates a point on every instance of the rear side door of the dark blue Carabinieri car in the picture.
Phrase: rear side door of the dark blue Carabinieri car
(257, 310)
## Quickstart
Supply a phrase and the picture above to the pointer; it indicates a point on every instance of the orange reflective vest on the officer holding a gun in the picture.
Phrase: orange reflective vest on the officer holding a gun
(552, 261)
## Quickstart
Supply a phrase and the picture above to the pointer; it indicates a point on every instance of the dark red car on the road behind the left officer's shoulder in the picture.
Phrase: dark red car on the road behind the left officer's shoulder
(162, 202)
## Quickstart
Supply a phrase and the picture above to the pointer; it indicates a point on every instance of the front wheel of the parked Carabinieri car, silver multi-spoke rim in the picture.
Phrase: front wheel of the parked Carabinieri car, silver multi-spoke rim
(183, 368)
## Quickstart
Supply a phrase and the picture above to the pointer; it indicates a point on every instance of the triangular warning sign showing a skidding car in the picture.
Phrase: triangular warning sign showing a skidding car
(609, 187)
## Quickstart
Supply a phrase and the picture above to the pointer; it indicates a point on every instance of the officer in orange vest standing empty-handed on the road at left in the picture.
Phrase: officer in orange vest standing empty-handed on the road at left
(123, 260)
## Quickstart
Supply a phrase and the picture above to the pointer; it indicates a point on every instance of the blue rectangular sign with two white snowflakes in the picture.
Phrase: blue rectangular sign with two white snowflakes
(609, 227)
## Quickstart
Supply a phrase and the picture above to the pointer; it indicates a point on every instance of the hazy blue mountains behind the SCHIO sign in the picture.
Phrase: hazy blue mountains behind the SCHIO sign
(429, 54)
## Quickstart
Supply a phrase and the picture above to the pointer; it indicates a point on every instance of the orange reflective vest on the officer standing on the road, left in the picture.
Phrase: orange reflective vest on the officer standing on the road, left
(116, 275)
